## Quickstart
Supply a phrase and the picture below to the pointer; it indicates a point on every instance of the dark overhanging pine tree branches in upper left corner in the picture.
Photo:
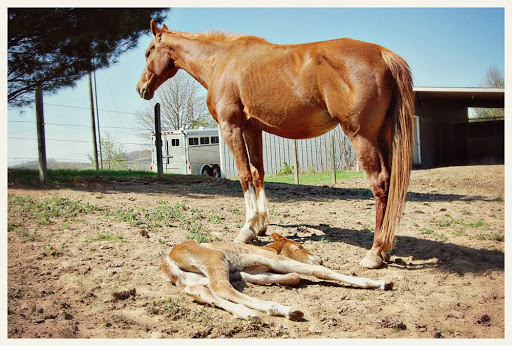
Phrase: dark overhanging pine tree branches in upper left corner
(55, 47)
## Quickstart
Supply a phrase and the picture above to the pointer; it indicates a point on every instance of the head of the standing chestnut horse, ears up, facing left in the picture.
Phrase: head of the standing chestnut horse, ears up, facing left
(159, 65)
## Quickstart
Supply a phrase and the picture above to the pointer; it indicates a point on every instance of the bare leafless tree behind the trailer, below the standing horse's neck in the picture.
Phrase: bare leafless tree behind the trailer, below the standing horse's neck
(182, 106)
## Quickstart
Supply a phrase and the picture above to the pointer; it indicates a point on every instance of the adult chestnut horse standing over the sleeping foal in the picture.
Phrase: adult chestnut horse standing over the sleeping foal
(299, 91)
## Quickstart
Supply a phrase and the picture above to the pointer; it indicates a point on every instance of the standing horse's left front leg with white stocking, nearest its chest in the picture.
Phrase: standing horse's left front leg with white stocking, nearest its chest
(232, 134)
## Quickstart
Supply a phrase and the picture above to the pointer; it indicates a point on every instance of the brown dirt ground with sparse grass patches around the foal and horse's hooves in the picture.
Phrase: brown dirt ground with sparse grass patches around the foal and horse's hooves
(84, 258)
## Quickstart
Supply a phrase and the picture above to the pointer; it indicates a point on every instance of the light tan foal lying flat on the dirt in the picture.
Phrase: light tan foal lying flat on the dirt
(204, 272)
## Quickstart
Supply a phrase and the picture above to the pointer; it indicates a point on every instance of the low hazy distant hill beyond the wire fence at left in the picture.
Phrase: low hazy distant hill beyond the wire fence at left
(137, 160)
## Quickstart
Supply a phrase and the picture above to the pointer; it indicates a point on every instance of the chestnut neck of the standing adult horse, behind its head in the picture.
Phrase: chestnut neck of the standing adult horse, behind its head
(195, 56)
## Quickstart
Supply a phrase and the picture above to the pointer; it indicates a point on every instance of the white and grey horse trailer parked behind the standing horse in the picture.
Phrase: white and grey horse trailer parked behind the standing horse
(189, 152)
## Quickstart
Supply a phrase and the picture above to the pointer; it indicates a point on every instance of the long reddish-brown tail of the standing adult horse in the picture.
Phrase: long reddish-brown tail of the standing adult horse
(399, 139)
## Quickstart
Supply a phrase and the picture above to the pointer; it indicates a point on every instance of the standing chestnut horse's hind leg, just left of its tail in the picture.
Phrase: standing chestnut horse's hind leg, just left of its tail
(372, 157)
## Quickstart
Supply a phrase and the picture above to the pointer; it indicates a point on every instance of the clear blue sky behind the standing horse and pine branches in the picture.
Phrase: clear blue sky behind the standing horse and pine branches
(445, 47)
